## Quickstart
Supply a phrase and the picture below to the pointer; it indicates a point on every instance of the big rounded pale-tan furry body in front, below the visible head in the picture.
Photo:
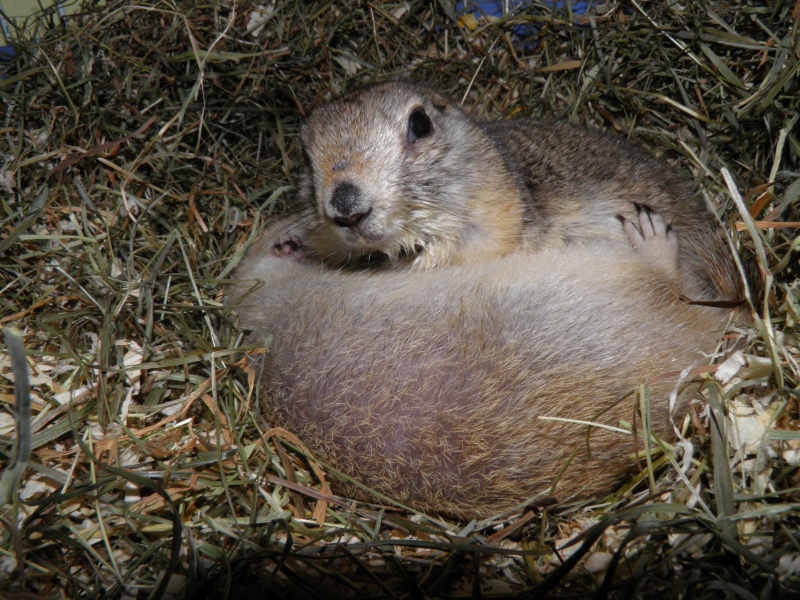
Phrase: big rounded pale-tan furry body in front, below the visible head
(428, 385)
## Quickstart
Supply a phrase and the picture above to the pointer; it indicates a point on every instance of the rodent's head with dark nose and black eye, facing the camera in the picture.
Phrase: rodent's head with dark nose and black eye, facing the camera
(389, 169)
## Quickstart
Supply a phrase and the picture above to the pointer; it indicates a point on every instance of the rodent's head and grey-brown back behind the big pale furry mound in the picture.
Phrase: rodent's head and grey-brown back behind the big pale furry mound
(397, 169)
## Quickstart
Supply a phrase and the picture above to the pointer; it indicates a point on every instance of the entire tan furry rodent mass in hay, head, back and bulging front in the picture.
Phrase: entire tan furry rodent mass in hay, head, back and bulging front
(529, 299)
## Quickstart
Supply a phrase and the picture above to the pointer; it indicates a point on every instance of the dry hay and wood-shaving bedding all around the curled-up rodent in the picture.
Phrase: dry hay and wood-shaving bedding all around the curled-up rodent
(142, 145)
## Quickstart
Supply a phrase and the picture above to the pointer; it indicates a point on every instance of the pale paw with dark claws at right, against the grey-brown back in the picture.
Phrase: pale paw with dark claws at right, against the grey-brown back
(653, 239)
